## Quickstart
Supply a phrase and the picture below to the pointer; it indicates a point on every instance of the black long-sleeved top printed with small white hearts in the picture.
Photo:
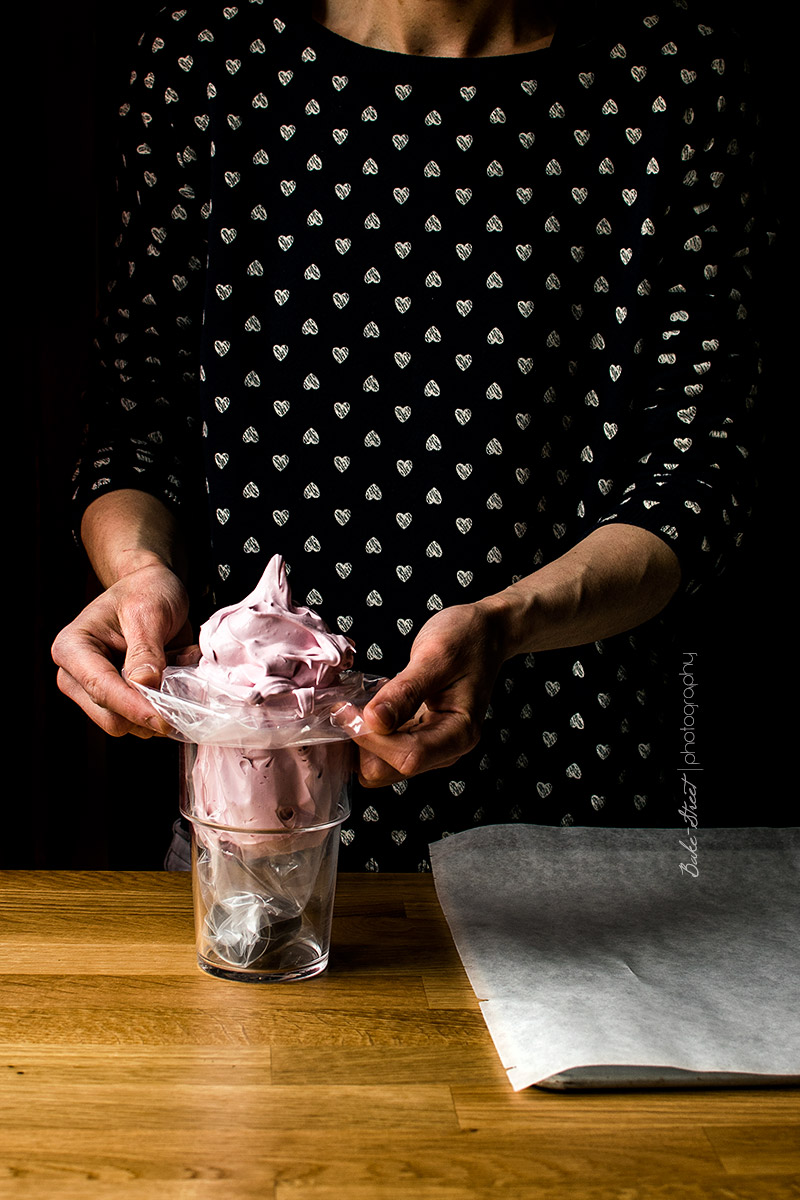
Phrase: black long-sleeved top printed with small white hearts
(414, 340)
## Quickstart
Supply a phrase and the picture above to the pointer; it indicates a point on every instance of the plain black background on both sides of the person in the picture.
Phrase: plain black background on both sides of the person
(87, 801)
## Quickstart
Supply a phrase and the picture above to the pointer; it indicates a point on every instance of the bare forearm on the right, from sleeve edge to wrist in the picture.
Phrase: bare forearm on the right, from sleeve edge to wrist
(616, 579)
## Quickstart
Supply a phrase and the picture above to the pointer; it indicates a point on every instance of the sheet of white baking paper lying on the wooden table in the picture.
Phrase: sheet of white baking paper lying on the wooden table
(594, 949)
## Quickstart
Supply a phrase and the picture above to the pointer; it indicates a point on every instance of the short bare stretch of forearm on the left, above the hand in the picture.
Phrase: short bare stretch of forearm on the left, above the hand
(127, 531)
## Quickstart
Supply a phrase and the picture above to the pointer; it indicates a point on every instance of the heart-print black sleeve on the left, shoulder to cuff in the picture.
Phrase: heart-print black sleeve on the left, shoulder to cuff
(142, 427)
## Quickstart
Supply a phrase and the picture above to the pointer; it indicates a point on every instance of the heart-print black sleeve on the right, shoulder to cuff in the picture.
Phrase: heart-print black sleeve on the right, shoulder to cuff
(696, 439)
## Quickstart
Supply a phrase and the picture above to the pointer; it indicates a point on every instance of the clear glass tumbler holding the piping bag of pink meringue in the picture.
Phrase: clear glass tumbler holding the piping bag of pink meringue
(264, 884)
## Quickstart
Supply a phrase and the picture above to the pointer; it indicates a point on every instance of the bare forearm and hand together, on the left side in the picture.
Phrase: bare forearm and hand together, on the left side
(134, 544)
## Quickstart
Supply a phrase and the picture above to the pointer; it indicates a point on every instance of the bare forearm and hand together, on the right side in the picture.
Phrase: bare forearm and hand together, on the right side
(616, 579)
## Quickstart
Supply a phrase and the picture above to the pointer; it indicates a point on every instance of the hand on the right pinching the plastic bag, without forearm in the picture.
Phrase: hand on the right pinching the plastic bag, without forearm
(432, 713)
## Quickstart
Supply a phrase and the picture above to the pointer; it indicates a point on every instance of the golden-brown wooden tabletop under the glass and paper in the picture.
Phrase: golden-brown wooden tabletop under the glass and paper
(128, 1072)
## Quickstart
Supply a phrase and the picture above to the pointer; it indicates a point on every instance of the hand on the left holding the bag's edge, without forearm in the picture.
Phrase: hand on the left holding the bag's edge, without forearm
(133, 625)
